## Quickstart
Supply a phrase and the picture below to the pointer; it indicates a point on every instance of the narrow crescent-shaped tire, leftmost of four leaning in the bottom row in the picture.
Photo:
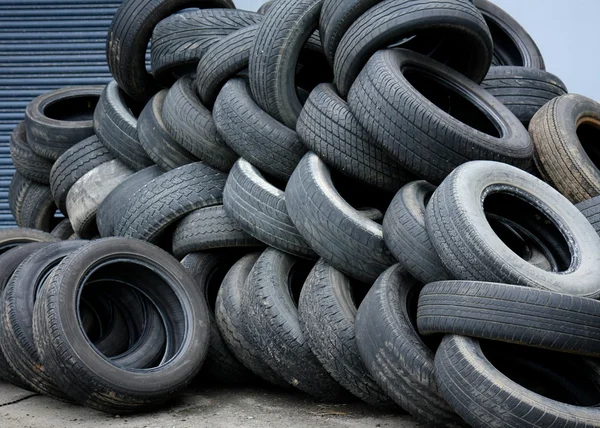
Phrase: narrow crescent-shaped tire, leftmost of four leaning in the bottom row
(231, 323)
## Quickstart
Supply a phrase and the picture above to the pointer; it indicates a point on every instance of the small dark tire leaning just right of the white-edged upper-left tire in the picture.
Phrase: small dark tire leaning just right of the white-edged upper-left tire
(158, 143)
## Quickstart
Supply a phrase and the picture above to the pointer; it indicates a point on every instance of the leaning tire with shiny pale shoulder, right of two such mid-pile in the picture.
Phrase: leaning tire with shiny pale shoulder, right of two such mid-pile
(335, 230)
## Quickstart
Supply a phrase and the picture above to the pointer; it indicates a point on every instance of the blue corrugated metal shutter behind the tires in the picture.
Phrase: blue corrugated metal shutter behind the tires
(44, 45)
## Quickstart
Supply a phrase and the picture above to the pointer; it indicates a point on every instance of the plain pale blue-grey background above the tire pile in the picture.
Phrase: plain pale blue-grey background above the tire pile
(566, 31)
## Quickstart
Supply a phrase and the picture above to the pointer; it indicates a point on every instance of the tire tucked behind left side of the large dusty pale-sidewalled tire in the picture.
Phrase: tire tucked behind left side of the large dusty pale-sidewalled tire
(406, 237)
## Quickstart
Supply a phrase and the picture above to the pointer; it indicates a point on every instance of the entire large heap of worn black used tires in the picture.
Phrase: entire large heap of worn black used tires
(369, 199)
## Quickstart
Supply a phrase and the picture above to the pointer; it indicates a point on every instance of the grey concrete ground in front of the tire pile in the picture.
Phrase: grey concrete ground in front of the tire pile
(214, 407)
